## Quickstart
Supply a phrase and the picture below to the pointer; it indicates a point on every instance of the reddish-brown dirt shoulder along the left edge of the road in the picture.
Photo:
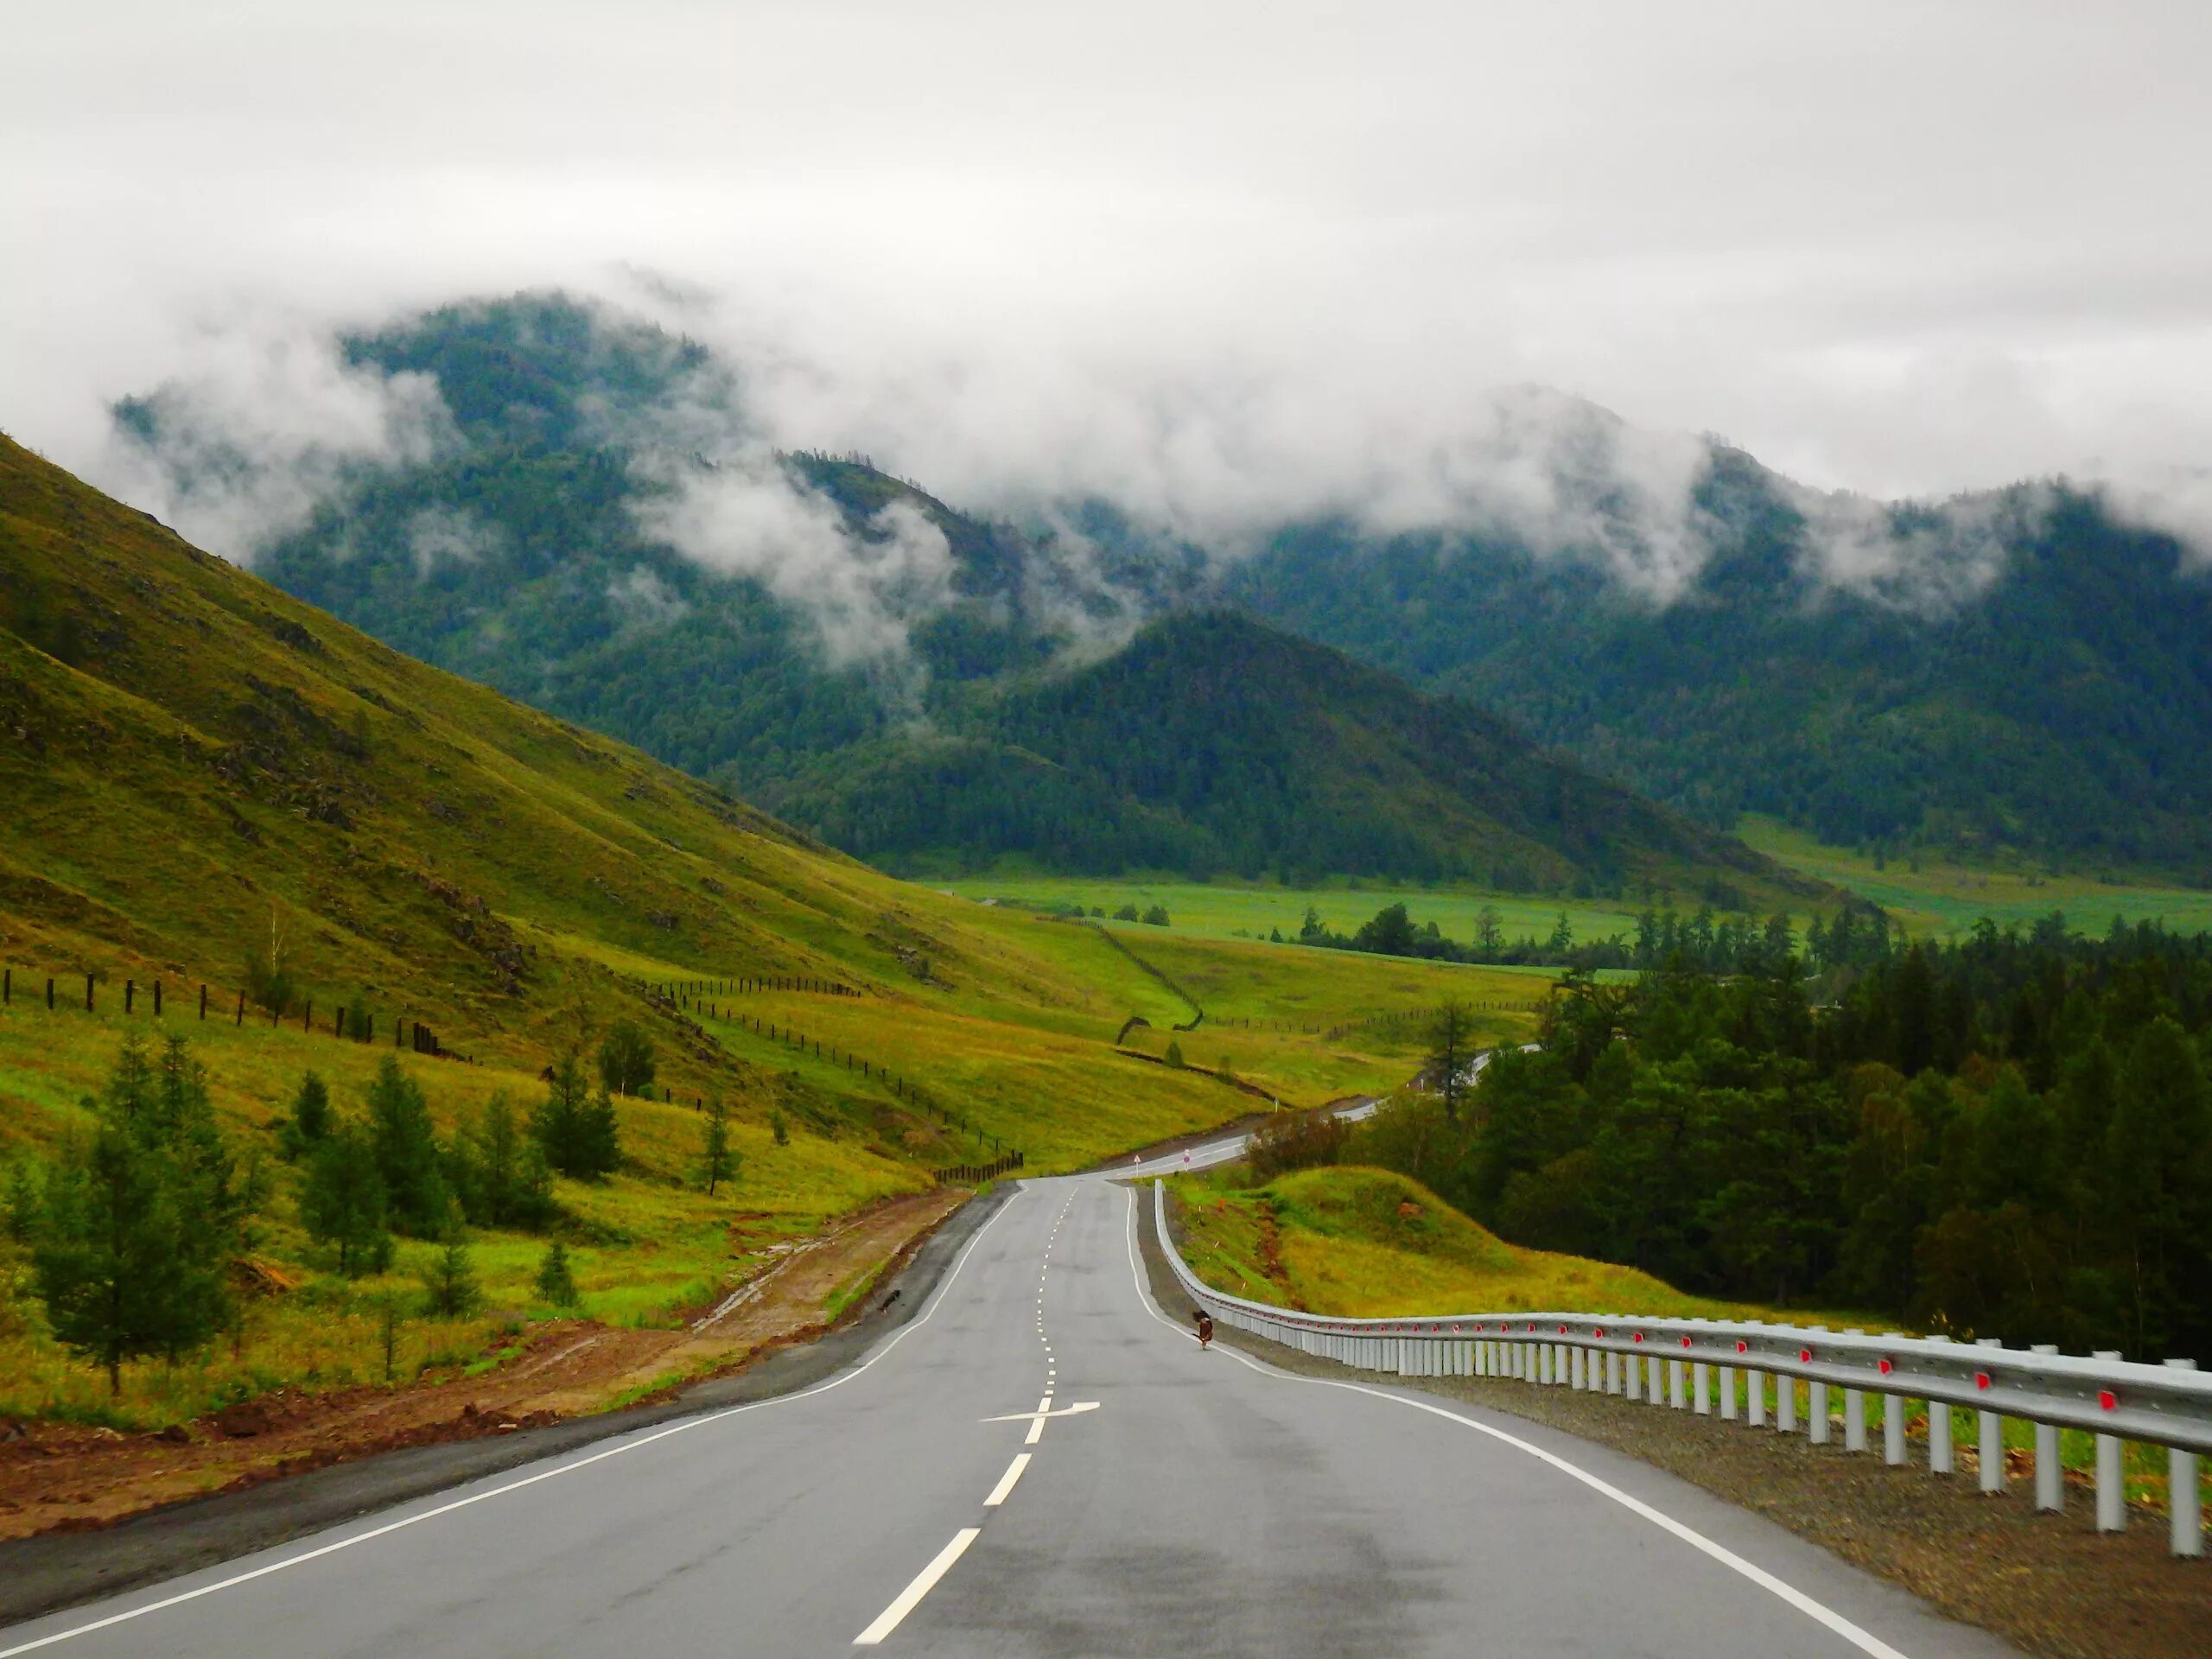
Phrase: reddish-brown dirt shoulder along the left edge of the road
(94, 1512)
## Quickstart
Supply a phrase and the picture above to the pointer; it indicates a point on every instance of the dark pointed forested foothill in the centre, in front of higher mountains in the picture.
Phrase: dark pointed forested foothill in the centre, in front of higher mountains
(1215, 742)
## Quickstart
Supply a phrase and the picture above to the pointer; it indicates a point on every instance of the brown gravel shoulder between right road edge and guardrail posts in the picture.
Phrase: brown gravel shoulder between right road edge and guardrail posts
(2052, 1585)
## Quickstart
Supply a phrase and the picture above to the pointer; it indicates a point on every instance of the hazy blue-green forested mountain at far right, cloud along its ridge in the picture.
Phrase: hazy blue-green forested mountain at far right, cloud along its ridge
(2049, 691)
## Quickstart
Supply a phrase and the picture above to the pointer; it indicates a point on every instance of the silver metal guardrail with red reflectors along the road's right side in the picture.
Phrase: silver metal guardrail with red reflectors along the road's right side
(1678, 1364)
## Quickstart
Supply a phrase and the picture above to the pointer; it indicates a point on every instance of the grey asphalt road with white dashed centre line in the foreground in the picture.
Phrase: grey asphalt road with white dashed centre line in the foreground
(1171, 1503)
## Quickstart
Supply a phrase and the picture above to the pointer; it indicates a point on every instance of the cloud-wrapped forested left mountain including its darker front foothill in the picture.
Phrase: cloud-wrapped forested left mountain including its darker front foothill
(910, 698)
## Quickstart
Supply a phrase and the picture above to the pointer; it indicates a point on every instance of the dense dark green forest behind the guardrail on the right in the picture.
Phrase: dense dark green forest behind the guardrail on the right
(2010, 1136)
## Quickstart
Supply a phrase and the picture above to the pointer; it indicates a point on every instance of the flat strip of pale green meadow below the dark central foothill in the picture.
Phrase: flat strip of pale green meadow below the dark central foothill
(1255, 908)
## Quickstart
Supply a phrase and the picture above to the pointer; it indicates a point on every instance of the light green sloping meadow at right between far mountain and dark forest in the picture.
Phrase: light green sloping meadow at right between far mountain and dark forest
(1943, 897)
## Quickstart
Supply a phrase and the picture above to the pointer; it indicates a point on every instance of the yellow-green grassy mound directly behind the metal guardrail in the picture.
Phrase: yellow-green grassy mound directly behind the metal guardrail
(1373, 1244)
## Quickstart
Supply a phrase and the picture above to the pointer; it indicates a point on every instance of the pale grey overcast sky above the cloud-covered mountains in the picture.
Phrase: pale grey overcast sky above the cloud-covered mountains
(1903, 249)
